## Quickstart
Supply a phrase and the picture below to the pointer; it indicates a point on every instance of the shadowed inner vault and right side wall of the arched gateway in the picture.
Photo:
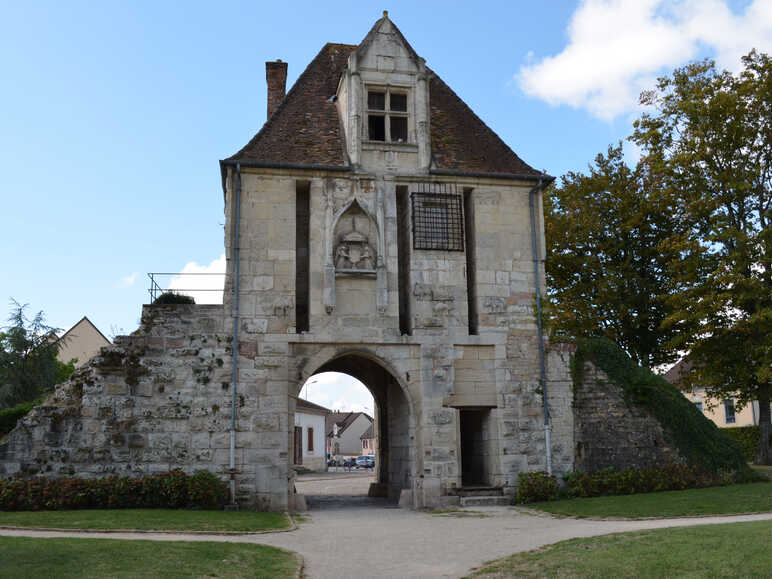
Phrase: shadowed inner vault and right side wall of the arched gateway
(393, 423)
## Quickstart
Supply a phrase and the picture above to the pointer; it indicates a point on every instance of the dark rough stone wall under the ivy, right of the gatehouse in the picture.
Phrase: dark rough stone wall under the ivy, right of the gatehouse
(609, 432)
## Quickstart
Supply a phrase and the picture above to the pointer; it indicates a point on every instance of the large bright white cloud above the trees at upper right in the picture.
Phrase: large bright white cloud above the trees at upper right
(617, 48)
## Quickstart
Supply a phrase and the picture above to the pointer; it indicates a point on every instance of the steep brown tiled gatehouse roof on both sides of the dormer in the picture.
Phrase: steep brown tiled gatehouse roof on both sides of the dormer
(305, 130)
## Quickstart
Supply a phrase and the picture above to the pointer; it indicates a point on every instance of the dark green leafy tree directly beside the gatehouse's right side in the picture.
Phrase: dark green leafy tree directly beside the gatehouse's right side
(607, 260)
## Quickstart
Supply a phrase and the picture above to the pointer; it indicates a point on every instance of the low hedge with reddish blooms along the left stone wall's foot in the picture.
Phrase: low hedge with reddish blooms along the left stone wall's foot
(169, 490)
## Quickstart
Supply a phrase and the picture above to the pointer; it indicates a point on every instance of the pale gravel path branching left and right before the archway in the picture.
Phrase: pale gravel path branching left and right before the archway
(380, 541)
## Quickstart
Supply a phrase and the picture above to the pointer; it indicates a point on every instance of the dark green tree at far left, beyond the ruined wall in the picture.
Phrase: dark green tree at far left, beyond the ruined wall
(28, 364)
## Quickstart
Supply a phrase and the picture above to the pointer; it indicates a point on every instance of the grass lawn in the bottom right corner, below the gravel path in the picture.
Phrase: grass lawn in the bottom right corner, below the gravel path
(734, 550)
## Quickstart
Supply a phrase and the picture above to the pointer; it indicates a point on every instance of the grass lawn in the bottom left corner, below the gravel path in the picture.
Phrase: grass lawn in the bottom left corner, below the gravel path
(61, 558)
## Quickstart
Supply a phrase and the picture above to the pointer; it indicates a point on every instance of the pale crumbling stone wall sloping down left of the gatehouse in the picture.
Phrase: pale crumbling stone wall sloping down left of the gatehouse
(155, 400)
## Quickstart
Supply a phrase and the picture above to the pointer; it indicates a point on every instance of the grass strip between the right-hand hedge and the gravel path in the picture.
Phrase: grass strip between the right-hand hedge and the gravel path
(745, 498)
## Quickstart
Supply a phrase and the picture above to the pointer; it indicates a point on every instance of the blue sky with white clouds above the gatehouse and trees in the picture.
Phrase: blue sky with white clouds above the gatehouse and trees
(113, 115)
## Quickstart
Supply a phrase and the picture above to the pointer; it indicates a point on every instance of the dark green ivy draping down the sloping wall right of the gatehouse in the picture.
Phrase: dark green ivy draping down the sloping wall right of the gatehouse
(697, 439)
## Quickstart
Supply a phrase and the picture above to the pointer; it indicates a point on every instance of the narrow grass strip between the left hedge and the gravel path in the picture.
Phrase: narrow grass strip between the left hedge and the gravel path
(148, 519)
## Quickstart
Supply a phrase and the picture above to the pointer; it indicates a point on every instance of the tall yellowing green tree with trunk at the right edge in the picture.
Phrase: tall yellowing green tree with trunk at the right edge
(709, 136)
